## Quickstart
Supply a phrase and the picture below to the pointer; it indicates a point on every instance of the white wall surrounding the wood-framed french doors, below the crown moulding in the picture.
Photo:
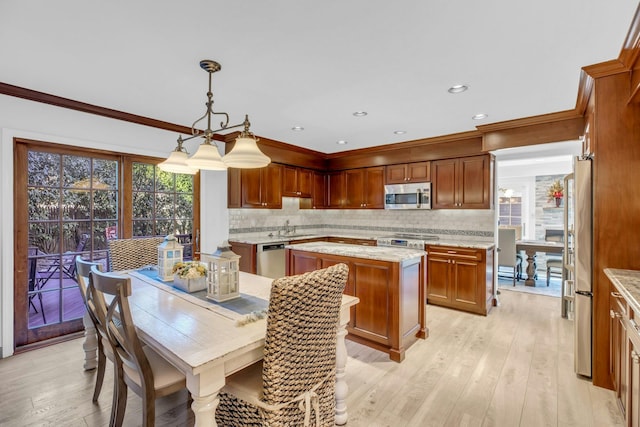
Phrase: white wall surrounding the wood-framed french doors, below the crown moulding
(32, 120)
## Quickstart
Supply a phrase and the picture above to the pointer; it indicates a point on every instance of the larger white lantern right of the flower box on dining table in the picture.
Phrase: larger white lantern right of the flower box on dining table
(223, 274)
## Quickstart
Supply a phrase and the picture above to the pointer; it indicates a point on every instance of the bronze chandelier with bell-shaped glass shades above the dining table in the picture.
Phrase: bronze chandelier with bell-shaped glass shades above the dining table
(244, 155)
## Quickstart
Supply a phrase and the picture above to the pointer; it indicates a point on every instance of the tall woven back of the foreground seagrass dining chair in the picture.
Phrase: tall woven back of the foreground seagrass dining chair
(300, 345)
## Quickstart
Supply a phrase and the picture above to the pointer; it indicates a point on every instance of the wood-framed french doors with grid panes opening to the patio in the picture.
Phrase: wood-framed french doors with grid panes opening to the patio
(68, 202)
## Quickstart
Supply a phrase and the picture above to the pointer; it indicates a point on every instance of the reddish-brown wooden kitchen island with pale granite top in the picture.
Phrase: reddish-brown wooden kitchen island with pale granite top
(390, 283)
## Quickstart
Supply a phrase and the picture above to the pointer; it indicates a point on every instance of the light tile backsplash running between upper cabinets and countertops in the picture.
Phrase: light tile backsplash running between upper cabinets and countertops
(473, 224)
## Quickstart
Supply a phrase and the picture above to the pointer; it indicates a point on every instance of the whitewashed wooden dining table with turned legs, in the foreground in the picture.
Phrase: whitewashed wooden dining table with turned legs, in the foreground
(208, 341)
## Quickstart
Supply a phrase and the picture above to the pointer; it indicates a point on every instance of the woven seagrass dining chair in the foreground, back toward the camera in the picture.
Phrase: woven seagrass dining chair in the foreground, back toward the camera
(297, 375)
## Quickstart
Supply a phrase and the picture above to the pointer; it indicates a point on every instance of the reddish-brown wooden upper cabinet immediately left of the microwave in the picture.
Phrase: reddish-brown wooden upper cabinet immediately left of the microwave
(365, 188)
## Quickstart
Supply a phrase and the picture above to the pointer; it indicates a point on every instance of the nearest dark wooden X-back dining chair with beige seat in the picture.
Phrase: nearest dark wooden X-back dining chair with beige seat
(137, 367)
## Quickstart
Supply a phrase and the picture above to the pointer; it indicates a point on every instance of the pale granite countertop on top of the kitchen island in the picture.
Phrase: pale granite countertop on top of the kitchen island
(381, 253)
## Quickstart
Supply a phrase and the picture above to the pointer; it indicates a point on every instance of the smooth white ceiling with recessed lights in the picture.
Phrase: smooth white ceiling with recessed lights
(313, 63)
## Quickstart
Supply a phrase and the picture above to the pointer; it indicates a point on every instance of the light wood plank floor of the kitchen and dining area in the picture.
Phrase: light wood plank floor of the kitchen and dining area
(512, 368)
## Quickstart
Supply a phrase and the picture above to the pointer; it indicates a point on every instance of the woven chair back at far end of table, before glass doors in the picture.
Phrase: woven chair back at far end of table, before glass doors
(128, 254)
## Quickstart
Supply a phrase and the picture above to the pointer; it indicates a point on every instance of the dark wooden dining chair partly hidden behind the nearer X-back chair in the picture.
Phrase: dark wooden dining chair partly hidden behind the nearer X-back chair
(105, 351)
